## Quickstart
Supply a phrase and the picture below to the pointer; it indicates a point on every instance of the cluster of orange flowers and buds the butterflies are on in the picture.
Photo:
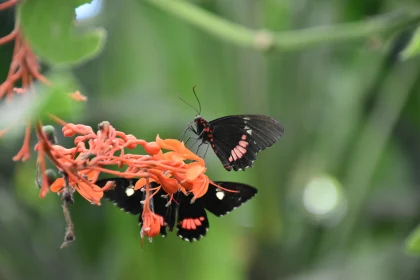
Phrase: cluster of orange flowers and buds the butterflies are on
(176, 169)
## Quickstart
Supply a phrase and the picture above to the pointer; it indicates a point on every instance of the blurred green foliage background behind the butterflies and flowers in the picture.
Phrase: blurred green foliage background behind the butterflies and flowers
(338, 194)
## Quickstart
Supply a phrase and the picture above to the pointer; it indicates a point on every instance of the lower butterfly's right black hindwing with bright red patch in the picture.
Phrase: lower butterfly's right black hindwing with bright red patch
(192, 220)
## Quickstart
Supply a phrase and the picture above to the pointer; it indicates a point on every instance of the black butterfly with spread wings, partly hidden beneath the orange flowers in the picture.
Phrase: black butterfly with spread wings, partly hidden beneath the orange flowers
(192, 222)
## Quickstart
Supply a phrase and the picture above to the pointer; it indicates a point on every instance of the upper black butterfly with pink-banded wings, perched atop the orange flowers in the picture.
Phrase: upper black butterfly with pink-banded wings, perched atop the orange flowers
(236, 140)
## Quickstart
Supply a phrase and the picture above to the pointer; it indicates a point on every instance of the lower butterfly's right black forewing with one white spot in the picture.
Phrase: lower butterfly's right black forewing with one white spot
(220, 202)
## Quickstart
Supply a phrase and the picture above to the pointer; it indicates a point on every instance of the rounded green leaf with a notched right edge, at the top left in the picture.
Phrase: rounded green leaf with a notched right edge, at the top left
(48, 25)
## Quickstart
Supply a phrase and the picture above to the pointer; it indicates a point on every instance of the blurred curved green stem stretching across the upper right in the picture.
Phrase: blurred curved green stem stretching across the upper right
(263, 40)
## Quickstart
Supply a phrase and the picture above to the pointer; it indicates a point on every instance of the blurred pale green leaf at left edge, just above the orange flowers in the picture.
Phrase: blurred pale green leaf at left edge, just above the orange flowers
(42, 100)
